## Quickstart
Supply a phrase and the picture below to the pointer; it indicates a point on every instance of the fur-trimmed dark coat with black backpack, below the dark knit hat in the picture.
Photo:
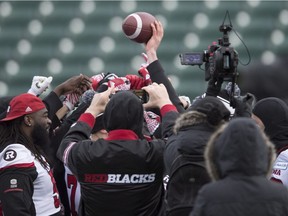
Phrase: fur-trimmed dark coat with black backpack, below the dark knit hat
(190, 138)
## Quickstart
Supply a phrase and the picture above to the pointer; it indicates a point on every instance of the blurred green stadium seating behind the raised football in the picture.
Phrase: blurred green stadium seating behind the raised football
(179, 21)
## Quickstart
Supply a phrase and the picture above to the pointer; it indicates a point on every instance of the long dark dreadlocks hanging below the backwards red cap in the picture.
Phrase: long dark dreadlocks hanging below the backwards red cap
(10, 132)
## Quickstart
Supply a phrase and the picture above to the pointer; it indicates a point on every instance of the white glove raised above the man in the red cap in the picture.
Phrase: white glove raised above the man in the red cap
(39, 85)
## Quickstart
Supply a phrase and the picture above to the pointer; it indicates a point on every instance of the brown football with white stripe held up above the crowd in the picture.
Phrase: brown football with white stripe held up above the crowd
(137, 26)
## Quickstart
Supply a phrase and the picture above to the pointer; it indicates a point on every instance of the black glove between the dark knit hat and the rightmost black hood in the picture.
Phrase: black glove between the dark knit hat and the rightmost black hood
(243, 106)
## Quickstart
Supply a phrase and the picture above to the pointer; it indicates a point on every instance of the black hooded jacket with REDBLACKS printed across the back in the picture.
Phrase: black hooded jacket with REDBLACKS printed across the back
(120, 175)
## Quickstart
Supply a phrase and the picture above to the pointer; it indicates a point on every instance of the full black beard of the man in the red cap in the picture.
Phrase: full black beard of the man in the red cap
(40, 137)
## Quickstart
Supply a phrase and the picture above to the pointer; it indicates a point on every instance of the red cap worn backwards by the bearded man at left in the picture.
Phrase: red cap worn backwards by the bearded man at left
(23, 104)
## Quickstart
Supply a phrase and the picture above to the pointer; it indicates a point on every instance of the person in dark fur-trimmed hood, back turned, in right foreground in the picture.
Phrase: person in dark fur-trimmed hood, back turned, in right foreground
(239, 159)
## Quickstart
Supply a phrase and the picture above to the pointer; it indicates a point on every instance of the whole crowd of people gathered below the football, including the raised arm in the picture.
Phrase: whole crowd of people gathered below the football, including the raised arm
(94, 147)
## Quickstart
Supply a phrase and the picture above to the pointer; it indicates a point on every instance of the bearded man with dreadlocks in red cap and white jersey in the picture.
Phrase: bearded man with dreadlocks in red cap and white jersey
(27, 184)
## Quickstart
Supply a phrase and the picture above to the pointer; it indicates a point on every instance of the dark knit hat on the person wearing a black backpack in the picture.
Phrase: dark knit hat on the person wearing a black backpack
(213, 108)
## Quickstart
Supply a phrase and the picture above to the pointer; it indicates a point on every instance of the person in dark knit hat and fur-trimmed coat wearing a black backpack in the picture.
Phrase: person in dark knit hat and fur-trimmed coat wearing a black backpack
(191, 133)
